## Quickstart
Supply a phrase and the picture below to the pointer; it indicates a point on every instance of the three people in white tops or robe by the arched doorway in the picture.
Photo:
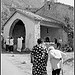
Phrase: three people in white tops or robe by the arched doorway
(10, 44)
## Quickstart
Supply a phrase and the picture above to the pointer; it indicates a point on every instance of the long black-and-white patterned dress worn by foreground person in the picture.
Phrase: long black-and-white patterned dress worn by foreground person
(39, 58)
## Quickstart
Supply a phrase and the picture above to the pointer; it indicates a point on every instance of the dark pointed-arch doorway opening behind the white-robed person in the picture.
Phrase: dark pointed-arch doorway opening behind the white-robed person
(17, 30)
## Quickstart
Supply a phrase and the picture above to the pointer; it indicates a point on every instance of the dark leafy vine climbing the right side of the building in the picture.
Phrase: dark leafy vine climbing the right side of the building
(69, 31)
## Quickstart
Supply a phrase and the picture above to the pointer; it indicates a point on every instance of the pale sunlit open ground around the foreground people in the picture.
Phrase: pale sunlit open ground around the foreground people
(19, 64)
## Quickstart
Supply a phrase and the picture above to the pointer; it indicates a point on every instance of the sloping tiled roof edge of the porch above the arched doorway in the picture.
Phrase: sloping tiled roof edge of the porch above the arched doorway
(33, 16)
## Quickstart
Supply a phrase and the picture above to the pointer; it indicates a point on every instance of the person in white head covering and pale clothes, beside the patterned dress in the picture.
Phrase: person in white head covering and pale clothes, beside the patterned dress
(56, 60)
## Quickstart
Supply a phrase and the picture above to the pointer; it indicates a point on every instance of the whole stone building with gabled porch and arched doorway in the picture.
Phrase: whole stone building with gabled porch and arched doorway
(46, 21)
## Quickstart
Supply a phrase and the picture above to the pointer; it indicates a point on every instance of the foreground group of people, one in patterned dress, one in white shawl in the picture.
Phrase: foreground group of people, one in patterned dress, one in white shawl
(40, 54)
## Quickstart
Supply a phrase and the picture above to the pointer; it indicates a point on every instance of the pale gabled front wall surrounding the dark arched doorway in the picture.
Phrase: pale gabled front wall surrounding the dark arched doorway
(29, 25)
